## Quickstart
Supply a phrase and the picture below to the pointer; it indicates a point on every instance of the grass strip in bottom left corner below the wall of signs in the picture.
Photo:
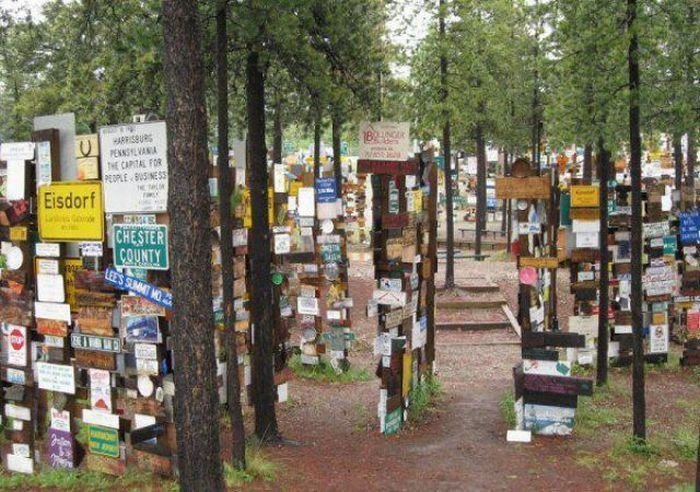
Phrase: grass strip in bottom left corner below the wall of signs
(76, 480)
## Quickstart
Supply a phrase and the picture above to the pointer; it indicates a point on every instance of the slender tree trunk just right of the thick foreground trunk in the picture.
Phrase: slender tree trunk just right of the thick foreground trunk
(233, 389)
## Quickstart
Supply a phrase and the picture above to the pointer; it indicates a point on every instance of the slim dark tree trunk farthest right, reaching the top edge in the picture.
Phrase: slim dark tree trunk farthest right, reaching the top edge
(638, 397)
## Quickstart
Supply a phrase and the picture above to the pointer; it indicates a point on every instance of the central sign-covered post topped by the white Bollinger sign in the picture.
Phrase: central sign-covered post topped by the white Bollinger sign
(404, 211)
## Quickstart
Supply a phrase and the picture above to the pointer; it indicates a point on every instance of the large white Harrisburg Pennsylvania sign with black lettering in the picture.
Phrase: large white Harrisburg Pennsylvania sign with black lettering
(135, 167)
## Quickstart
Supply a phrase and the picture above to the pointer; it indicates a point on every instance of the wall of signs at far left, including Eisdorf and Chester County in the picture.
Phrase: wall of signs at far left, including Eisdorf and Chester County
(88, 332)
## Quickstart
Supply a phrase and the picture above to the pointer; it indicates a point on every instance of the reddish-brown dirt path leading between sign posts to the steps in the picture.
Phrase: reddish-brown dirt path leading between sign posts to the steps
(461, 447)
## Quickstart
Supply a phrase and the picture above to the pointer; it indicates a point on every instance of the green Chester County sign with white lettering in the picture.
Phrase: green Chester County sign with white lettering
(141, 246)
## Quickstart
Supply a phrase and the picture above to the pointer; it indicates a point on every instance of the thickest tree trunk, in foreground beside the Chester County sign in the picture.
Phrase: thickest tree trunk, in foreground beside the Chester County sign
(196, 399)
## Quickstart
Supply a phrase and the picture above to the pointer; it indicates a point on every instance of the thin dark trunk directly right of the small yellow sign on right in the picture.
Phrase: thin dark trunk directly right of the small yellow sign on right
(603, 303)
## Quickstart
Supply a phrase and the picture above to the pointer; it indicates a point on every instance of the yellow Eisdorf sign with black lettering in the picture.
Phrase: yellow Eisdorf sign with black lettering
(71, 212)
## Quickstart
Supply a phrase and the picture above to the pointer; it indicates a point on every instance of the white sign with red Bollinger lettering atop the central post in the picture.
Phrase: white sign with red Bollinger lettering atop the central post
(384, 141)
